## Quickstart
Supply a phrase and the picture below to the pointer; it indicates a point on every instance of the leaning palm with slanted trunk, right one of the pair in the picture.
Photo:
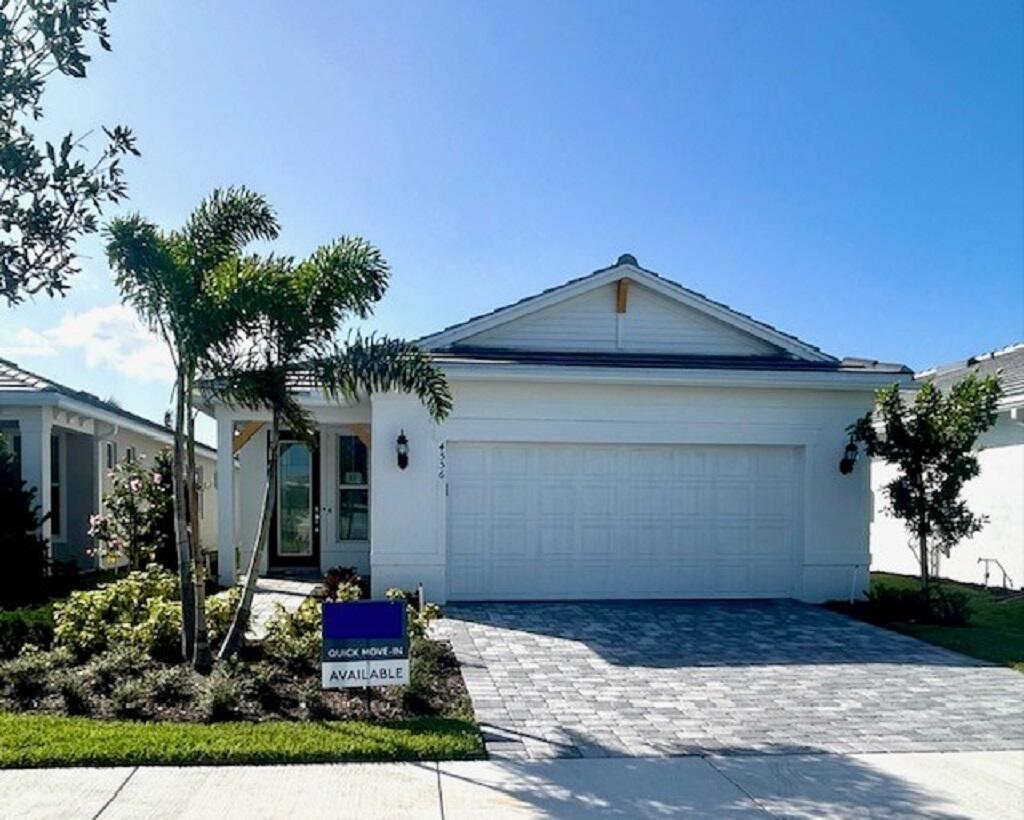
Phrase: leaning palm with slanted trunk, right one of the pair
(295, 312)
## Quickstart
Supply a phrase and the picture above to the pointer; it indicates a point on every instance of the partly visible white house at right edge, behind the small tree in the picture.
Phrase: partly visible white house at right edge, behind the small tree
(998, 492)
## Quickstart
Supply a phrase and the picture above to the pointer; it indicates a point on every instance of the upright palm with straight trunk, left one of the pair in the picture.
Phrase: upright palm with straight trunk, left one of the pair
(182, 284)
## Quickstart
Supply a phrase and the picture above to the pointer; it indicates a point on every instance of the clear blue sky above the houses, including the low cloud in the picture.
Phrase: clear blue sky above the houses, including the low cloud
(852, 174)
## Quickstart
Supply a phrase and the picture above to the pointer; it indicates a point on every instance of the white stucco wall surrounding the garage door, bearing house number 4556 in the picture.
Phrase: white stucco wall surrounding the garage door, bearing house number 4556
(409, 507)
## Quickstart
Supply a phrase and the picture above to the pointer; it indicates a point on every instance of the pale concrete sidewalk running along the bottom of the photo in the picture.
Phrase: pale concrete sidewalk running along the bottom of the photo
(984, 785)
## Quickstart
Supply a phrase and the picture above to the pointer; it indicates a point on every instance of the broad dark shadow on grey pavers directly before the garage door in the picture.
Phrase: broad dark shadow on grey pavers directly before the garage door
(677, 634)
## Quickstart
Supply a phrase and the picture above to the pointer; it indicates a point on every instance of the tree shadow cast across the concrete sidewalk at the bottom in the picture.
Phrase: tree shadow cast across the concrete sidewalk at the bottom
(792, 782)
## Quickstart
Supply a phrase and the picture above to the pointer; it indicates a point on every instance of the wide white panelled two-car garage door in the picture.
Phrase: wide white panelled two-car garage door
(551, 522)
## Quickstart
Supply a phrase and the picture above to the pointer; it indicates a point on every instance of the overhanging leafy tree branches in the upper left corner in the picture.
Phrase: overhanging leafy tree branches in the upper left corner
(50, 196)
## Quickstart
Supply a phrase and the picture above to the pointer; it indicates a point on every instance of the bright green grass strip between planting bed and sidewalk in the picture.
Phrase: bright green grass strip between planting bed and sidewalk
(37, 741)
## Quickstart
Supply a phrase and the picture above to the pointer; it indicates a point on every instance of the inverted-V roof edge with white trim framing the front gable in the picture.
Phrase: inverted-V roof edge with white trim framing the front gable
(625, 268)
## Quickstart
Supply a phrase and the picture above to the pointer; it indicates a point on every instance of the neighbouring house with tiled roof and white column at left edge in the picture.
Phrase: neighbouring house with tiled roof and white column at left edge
(68, 441)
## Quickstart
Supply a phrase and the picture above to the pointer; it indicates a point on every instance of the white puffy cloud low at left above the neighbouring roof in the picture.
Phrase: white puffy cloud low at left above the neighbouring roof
(109, 337)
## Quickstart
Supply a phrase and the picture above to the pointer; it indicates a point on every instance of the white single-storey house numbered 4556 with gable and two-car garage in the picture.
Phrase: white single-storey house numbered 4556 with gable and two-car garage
(618, 437)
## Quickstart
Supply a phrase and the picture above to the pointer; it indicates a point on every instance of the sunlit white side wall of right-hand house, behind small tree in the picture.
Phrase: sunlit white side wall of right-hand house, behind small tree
(997, 493)
